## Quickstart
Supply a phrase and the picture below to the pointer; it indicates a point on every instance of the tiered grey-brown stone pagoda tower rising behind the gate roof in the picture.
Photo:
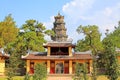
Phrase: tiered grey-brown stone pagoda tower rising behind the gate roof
(59, 29)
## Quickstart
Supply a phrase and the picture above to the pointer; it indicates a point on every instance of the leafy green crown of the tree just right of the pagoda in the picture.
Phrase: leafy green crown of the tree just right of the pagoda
(92, 36)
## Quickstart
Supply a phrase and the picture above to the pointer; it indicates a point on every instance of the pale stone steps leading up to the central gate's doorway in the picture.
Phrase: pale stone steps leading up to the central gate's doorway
(59, 77)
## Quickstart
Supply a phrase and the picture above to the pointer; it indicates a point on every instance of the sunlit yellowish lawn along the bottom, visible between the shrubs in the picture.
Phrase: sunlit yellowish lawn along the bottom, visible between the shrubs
(21, 78)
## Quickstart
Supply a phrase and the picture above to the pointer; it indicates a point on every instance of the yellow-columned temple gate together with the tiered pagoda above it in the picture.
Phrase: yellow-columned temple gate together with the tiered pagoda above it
(59, 57)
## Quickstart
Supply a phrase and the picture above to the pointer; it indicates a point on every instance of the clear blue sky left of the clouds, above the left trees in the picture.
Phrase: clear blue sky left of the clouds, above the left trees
(22, 10)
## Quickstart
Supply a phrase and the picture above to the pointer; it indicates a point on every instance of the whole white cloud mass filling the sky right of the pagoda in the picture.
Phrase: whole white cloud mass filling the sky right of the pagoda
(82, 12)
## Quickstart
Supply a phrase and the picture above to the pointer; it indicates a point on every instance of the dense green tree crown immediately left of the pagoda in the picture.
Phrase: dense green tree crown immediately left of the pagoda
(32, 37)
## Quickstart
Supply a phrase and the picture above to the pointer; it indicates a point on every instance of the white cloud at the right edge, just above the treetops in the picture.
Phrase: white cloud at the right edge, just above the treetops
(106, 18)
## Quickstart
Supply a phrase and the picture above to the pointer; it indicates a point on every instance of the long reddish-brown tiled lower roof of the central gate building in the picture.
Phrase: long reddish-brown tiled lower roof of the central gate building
(60, 57)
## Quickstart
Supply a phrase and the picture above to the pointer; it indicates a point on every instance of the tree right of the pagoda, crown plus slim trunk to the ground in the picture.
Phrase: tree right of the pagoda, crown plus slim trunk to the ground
(91, 42)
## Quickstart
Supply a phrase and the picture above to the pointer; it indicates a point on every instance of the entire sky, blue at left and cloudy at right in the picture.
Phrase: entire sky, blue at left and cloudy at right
(103, 13)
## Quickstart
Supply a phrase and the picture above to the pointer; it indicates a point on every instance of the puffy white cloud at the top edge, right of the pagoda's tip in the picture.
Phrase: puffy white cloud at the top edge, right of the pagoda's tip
(77, 7)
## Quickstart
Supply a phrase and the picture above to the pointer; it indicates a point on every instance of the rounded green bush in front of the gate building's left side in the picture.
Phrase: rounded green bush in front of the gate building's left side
(40, 72)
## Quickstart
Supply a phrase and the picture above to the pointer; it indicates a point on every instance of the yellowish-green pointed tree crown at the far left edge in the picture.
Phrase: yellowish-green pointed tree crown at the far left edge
(7, 27)
